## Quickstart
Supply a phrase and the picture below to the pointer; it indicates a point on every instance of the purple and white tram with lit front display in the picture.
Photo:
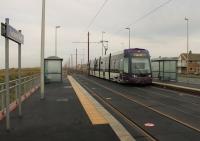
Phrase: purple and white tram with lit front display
(128, 66)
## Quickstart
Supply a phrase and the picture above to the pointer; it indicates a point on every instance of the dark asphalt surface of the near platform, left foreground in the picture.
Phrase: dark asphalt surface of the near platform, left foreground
(59, 117)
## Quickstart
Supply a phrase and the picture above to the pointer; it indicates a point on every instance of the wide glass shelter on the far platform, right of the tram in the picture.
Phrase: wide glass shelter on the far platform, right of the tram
(164, 69)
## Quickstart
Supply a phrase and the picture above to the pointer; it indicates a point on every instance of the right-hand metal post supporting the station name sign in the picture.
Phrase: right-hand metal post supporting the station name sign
(19, 78)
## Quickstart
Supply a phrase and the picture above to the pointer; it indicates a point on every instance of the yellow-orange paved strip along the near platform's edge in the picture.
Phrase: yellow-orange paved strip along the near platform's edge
(92, 112)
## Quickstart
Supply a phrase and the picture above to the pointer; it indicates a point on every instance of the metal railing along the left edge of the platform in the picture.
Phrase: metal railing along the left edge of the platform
(27, 83)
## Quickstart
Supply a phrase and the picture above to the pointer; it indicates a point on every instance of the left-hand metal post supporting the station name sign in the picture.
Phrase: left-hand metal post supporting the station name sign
(7, 80)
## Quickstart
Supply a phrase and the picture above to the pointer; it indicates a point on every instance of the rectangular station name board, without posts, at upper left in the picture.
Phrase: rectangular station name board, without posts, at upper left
(11, 33)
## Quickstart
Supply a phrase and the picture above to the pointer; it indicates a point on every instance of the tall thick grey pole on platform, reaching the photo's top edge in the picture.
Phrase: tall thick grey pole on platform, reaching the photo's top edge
(42, 50)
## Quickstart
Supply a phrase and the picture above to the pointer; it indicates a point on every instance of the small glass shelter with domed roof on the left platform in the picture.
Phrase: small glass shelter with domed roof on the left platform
(53, 69)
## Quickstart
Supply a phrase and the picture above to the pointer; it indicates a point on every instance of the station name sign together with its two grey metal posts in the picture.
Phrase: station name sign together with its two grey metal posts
(11, 33)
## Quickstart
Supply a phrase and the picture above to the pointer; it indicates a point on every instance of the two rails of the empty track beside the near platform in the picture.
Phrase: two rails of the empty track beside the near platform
(129, 98)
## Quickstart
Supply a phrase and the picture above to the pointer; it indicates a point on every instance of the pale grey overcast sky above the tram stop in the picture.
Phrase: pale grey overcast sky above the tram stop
(163, 32)
